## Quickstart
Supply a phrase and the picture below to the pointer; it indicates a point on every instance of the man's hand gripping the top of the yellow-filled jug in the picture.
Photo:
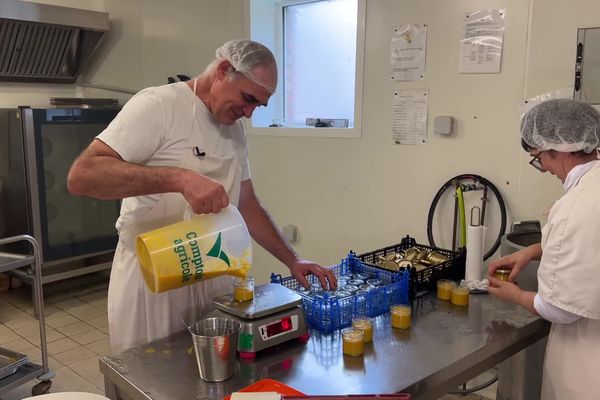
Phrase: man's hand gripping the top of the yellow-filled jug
(205, 195)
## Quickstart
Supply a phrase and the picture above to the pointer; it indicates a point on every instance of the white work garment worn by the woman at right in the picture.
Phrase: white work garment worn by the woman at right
(568, 279)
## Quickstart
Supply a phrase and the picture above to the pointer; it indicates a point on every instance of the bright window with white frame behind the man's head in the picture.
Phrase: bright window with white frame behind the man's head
(319, 46)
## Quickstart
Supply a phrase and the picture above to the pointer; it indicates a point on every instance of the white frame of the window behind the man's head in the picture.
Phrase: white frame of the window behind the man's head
(312, 132)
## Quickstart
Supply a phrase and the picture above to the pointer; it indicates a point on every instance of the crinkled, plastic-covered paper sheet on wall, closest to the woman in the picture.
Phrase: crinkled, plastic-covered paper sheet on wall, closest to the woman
(481, 46)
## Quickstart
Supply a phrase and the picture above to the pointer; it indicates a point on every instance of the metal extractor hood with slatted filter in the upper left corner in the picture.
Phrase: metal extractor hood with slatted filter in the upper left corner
(46, 43)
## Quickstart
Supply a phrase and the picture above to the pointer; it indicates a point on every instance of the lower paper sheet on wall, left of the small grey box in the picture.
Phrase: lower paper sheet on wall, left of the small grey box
(409, 125)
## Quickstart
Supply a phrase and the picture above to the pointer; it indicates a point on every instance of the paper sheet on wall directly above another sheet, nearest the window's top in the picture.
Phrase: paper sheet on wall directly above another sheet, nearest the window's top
(407, 52)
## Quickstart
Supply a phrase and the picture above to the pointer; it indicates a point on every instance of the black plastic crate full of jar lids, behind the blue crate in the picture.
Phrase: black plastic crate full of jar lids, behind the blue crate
(426, 279)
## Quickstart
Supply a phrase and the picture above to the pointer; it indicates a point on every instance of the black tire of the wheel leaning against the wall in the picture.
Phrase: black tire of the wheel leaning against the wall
(452, 183)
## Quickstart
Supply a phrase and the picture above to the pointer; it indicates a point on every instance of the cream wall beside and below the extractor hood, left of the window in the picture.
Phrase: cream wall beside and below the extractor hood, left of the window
(148, 41)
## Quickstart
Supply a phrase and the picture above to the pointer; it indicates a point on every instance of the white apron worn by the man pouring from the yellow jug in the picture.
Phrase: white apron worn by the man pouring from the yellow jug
(136, 315)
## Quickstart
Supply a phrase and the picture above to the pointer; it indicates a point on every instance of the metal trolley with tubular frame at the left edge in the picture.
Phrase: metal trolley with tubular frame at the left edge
(27, 371)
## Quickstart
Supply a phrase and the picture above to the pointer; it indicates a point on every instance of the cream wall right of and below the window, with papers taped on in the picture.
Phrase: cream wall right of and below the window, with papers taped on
(367, 193)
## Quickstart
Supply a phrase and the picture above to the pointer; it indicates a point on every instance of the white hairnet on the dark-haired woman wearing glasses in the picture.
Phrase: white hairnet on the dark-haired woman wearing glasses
(563, 125)
